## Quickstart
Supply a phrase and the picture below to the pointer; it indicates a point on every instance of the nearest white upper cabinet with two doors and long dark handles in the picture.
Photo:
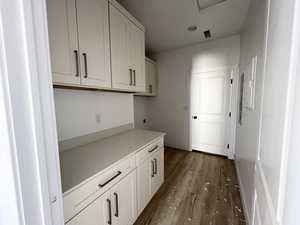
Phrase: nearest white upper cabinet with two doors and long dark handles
(79, 42)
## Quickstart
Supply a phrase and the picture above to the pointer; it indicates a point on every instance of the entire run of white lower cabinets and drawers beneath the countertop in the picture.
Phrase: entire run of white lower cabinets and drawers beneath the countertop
(118, 195)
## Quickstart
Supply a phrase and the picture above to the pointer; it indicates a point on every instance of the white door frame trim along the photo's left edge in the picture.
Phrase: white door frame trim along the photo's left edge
(28, 79)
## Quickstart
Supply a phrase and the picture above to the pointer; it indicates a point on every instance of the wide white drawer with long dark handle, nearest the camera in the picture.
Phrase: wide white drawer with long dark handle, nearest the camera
(88, 191)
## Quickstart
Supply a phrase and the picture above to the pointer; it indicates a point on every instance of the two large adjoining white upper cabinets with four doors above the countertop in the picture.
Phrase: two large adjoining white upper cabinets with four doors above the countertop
(96, 44)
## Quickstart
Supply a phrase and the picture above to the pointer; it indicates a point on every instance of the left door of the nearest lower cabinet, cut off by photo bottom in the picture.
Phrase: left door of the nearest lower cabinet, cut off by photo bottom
(97, 213)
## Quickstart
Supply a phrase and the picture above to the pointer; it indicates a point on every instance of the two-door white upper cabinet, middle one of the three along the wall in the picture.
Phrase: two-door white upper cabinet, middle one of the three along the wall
(127, 52)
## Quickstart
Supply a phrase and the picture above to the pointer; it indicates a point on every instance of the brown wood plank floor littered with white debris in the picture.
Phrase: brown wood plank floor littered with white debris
(199, 189)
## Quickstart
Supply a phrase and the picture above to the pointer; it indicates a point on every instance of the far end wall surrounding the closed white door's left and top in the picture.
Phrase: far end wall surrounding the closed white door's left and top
(170, 109)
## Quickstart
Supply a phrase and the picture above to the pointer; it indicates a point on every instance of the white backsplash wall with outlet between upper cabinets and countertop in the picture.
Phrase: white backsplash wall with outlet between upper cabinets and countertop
(78, 112)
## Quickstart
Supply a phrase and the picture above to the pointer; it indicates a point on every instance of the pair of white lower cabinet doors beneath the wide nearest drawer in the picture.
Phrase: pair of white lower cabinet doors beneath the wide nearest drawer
(115, 207)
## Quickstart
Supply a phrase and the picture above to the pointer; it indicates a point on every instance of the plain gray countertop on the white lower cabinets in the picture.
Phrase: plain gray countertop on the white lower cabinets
(80, 163)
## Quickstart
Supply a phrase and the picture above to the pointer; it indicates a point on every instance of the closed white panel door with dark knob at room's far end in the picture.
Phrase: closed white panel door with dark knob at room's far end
(210, 111)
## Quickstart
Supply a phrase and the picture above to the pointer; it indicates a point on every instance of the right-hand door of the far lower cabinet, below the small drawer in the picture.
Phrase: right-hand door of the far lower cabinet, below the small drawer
(158, 170)
